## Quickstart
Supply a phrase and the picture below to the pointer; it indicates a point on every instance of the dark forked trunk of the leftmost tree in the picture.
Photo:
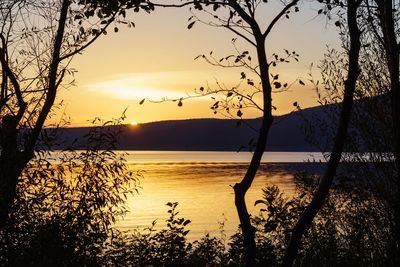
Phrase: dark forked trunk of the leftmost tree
(13, 159)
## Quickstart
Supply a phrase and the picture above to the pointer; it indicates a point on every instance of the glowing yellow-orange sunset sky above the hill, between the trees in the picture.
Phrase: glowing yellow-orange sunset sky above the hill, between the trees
(156, 59)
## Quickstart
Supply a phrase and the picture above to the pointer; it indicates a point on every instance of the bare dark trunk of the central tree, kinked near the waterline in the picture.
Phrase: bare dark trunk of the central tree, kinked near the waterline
(241, 188)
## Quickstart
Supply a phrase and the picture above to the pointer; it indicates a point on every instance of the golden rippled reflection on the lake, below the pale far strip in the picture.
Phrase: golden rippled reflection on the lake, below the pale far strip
(204, 192)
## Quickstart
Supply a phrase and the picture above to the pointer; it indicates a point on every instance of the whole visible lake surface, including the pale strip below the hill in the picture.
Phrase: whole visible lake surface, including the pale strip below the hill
(202, 184)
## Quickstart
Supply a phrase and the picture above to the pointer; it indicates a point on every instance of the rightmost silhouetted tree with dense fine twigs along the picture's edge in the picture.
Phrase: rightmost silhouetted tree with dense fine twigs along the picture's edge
(375, 120)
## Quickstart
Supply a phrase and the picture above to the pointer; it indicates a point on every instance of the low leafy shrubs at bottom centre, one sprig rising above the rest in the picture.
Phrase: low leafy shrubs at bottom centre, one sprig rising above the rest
(165, 247)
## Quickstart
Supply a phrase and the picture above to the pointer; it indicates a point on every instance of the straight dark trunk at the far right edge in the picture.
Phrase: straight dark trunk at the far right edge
(392, 51)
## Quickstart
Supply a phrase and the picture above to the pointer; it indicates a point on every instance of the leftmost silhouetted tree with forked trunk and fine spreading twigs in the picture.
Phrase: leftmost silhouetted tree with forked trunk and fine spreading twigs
(38, 41)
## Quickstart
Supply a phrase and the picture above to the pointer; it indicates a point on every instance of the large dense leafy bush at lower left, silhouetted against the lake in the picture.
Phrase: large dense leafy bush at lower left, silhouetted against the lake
(65, 206)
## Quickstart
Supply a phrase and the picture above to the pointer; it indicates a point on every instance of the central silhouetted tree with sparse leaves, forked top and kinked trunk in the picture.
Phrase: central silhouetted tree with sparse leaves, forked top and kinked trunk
(239, 16)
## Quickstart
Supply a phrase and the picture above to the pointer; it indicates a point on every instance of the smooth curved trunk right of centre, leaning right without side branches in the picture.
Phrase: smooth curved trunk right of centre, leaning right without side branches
(326, 181)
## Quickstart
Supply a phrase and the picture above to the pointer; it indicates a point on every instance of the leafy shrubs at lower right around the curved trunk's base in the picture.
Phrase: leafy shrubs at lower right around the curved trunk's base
(351, 229)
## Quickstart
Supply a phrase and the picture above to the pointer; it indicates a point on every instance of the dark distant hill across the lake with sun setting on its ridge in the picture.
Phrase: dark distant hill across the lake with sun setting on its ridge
(209, 134)
